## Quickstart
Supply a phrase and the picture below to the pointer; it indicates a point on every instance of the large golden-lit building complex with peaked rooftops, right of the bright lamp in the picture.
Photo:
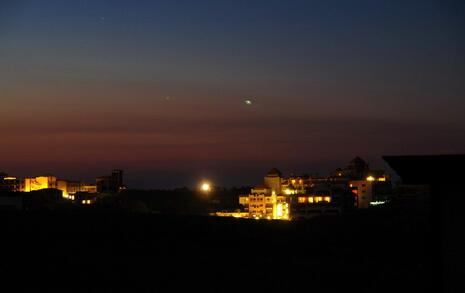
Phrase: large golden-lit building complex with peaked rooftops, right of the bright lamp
(305, 196)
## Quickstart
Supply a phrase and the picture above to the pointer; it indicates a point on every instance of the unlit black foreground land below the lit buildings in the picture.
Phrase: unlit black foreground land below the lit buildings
(383, 250)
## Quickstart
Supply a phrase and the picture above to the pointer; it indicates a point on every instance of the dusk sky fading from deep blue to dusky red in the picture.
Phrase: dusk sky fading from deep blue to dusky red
(158, 87)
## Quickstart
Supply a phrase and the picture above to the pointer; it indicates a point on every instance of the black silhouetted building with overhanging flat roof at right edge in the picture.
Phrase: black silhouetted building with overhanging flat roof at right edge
(443, 174)
